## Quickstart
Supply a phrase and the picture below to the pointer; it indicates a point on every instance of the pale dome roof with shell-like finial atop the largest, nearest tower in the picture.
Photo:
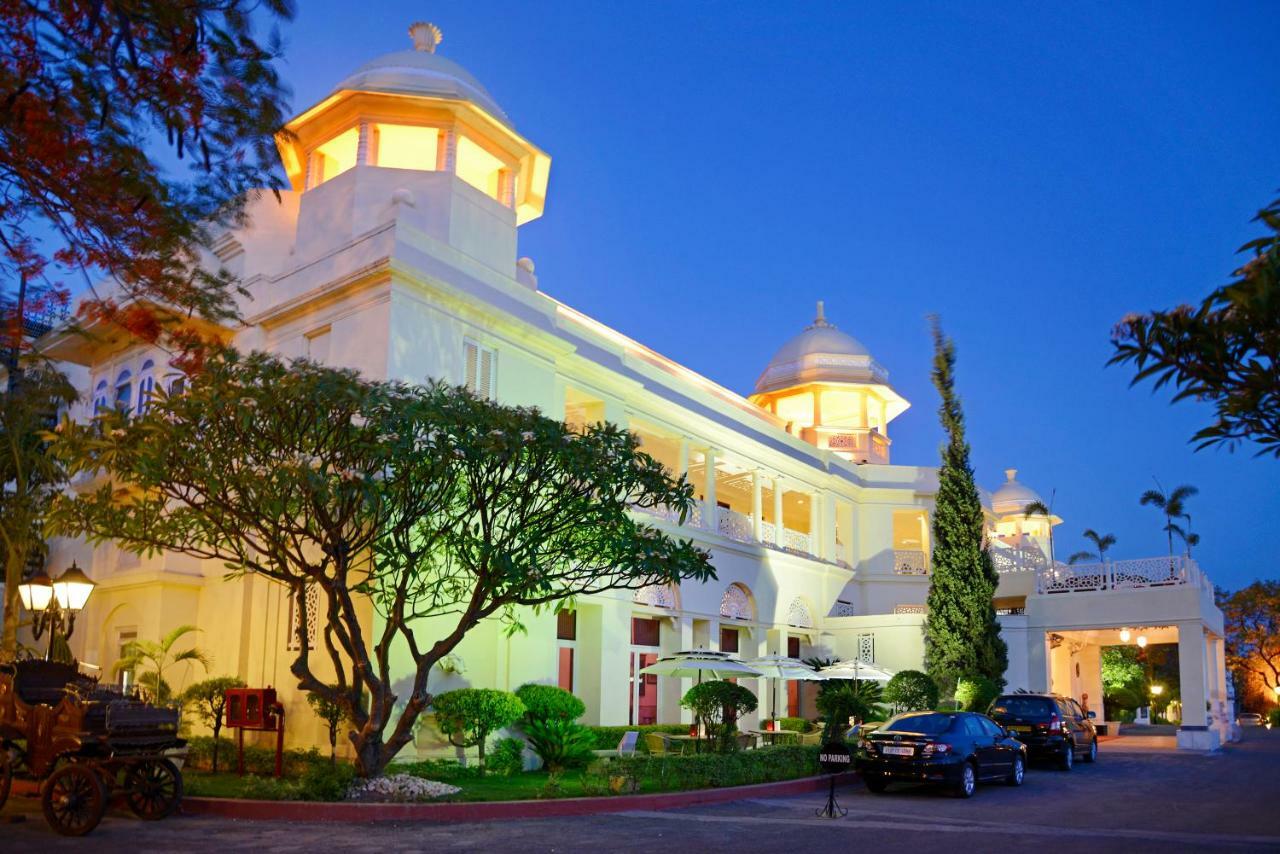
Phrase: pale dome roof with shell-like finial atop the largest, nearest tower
(422, 72)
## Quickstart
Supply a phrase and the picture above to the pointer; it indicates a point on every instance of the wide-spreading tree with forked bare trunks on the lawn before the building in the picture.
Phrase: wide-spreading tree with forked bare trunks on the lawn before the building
(426, 503)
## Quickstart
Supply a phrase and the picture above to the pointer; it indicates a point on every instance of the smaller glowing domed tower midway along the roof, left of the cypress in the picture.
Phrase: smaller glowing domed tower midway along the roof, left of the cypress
(830, 391)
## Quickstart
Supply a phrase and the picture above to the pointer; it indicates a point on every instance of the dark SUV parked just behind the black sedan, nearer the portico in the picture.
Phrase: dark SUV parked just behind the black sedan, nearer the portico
(1052, 727)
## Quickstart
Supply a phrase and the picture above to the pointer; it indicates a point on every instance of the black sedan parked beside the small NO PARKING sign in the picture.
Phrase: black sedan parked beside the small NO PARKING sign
(957, 750)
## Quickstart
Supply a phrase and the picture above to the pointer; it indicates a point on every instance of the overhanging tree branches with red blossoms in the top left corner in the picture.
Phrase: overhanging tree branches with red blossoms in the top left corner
(98, 98)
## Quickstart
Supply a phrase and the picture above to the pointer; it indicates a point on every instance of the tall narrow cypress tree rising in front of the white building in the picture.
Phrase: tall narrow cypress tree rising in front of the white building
(962, 636)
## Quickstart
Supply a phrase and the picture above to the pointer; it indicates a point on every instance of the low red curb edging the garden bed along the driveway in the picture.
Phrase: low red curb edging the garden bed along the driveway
(491, 810)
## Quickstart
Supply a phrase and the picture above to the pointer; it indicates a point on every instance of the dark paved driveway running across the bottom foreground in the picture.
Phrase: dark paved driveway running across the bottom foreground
(1130, 802)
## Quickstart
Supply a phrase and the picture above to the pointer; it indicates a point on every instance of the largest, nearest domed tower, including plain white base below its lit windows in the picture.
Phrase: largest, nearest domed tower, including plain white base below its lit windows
(415, 135)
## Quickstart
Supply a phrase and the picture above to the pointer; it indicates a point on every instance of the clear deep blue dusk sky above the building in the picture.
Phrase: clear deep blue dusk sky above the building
(1030, 172)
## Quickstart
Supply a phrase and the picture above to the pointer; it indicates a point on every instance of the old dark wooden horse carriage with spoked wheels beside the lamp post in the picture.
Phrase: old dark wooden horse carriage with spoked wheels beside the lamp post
(85, 743)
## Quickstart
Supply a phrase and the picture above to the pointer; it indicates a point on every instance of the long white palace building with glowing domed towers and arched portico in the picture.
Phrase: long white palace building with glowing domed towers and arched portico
(396, 253)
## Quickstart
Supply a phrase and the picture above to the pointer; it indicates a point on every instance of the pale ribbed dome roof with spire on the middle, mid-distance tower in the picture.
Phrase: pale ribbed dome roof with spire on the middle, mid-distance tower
(821, 354)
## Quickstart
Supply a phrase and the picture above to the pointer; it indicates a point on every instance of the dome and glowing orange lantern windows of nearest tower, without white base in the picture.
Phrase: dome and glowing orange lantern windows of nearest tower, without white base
(418, 112)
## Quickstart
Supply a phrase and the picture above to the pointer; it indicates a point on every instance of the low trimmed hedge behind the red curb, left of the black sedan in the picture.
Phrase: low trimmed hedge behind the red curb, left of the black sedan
(717, 770)
